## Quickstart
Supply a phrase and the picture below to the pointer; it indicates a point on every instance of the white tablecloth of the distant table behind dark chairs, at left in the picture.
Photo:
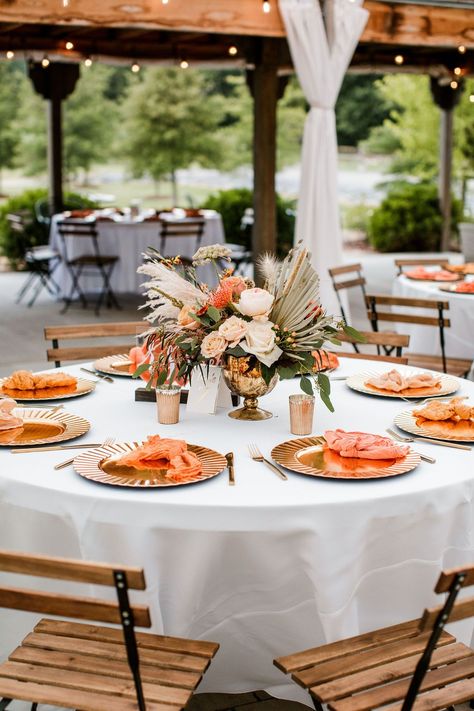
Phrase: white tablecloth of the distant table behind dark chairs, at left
(129, 240)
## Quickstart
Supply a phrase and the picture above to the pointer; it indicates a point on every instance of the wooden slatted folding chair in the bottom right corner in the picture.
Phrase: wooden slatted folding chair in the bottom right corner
(414, 665)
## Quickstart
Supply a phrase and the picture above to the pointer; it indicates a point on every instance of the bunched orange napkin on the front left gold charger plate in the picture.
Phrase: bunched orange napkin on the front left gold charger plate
(164, 453)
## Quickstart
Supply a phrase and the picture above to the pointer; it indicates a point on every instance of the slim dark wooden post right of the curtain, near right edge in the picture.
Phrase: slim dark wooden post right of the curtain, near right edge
(447, 98)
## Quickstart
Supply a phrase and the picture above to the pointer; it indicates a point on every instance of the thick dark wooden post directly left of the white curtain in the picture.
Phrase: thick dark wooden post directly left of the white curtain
(264, 86)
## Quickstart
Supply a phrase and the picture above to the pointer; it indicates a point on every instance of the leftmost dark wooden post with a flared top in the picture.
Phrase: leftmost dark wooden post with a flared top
(54, 83)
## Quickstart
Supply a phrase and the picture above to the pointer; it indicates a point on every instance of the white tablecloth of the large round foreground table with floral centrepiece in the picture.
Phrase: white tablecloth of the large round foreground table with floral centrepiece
(267, 567)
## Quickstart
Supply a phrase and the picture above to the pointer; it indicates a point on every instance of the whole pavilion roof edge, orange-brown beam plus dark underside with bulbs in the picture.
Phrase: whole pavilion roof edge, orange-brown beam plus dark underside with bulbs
(427, 33)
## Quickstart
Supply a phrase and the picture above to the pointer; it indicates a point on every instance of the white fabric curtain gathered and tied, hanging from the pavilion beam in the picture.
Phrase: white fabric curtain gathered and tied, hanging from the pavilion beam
(321, 52)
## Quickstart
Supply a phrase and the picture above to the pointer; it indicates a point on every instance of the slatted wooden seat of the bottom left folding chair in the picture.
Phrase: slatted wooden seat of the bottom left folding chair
(72, 658)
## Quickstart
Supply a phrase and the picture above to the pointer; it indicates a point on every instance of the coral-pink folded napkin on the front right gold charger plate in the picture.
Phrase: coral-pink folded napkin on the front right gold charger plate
(362, 445)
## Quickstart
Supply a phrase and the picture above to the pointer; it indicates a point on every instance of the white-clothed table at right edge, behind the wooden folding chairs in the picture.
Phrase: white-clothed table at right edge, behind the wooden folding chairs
(425, 339)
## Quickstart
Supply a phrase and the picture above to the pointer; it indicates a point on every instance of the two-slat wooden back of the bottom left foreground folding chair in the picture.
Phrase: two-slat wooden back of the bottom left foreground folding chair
(78, 607)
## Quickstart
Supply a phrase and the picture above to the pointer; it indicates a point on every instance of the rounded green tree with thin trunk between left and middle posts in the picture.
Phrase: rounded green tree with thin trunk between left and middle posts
(171, 121)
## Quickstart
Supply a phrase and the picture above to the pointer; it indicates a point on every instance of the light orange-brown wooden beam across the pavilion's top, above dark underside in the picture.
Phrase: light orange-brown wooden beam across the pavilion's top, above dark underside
(389, 23)
